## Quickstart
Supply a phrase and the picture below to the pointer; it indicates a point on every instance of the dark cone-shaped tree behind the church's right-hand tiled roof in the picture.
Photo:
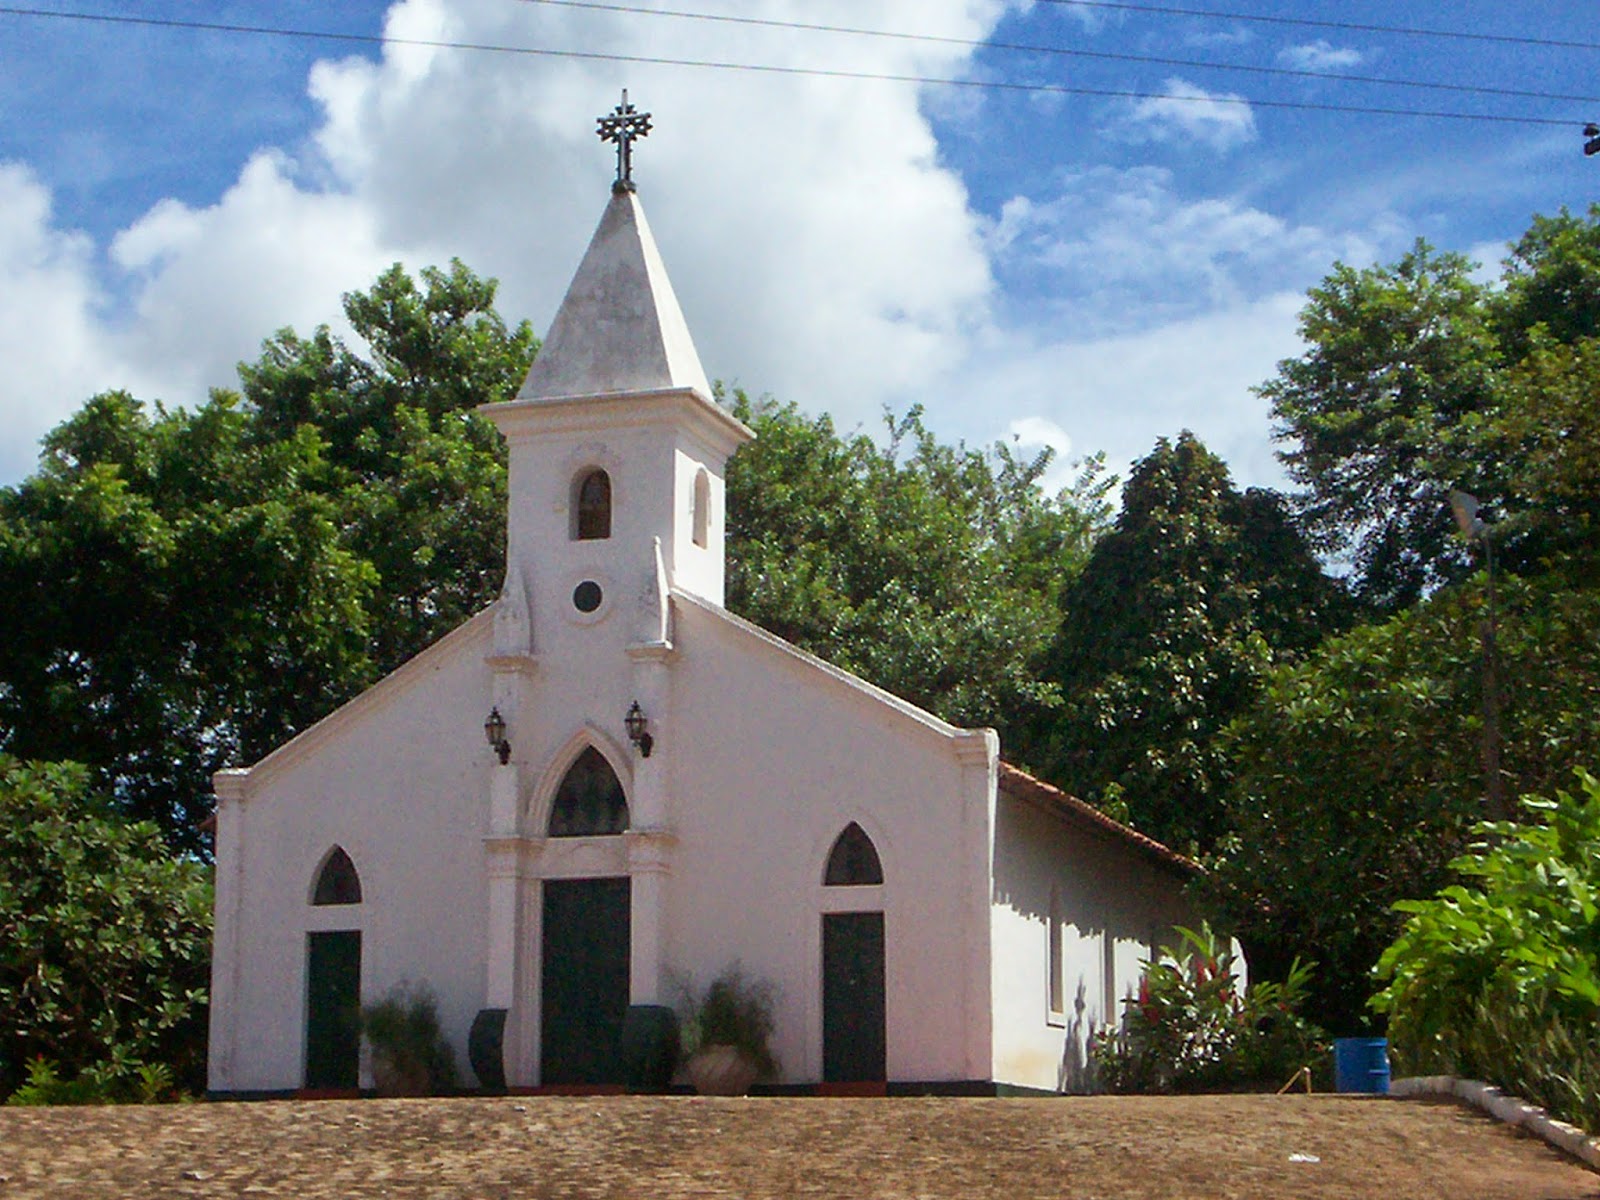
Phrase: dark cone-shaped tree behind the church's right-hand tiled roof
(1167, 636)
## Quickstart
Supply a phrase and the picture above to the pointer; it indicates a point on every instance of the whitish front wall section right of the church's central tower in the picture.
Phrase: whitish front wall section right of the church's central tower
(772, 759)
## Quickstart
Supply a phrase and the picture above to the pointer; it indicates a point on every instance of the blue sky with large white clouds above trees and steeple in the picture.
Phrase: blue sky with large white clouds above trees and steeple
(1086, 271)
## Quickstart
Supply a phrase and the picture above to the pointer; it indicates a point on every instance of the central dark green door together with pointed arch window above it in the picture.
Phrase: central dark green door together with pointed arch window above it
(586, 940)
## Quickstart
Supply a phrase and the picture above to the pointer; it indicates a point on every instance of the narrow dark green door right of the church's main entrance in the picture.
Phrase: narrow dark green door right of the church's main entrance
(854, 1010)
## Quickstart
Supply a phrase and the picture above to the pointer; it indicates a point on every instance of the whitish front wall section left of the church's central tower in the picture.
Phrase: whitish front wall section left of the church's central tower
(399, 780)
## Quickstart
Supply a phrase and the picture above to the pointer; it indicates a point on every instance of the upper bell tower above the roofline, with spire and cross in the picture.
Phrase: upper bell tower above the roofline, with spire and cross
(617, 446)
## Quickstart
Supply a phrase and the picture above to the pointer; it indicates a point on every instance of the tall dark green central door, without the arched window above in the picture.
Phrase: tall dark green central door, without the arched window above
(583, 980)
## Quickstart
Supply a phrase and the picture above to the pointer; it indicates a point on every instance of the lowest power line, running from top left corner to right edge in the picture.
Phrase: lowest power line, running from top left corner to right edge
(775, 70)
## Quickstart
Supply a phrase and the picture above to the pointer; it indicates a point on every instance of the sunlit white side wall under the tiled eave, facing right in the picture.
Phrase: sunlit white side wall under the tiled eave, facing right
(1106, 905)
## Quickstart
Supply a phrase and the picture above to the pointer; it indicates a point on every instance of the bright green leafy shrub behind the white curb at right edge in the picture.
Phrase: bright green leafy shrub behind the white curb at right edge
(1498, 978)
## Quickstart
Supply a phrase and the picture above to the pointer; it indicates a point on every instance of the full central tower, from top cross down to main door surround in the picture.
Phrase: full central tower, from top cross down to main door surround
(615, 500)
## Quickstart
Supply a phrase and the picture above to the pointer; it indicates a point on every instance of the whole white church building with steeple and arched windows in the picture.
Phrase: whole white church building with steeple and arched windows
(666, 791)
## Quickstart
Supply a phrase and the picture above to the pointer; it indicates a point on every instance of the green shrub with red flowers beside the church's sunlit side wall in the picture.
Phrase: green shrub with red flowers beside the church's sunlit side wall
(1191, 1028)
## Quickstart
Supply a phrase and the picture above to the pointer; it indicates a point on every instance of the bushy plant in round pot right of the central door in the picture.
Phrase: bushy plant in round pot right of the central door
(727, 1033)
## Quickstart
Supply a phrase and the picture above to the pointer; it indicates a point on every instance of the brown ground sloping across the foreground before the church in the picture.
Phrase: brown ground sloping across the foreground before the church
(684, 1146)
